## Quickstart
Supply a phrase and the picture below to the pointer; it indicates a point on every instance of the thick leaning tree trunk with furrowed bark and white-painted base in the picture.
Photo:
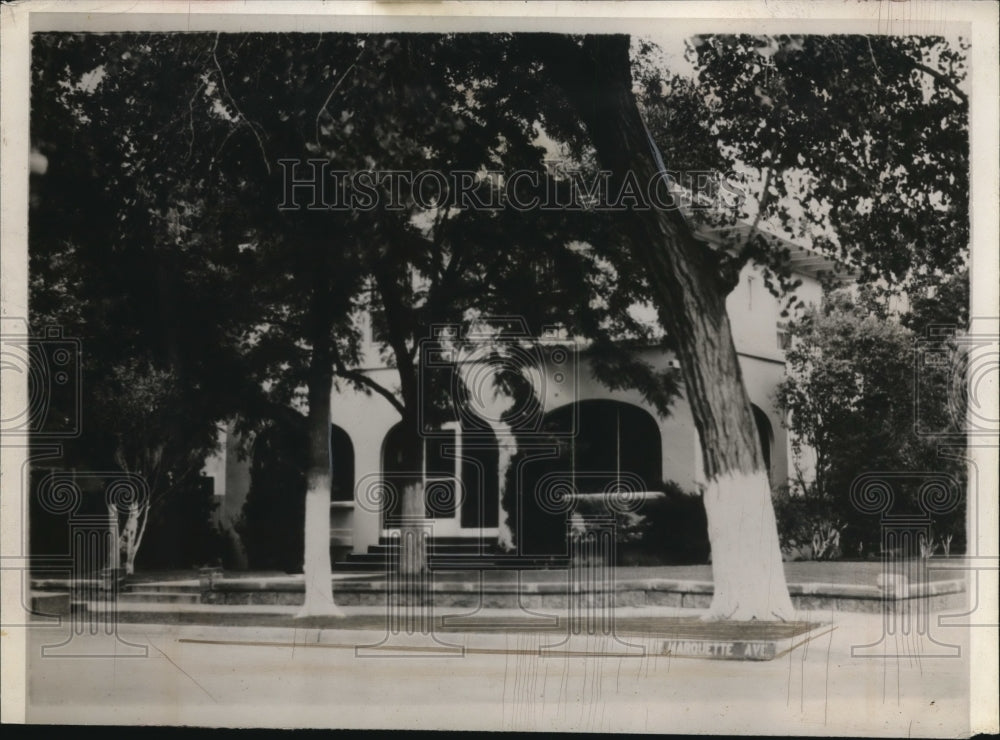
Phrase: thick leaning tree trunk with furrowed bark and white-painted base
(690, 296)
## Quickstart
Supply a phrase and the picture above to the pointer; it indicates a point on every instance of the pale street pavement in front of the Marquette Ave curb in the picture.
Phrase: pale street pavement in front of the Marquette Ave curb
(323, 676)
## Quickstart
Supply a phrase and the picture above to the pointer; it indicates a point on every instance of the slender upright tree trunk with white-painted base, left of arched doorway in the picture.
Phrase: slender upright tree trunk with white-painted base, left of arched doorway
(317, 567)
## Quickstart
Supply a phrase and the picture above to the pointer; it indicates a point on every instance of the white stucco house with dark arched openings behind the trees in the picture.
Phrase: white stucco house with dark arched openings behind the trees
(610, 435)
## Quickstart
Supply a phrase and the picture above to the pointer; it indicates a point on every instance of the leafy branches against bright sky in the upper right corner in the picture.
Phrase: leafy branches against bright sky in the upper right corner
(865, 139)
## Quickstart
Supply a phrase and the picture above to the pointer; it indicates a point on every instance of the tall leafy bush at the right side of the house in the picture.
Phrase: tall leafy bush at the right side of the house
(853, 395)
